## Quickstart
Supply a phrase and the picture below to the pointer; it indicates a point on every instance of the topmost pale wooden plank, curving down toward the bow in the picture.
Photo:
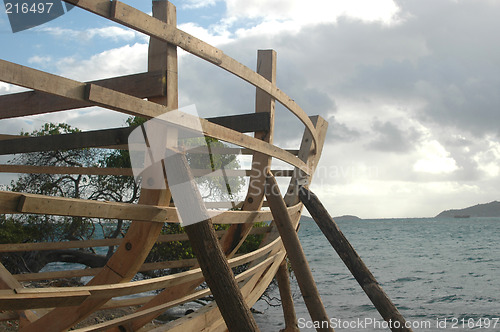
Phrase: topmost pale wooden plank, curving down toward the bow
(137, 20)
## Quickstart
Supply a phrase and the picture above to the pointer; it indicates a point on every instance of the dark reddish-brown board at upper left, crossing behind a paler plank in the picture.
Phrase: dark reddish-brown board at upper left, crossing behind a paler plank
(141, 85)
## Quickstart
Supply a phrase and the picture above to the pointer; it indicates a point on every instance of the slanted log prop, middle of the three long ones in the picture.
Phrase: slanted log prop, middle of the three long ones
(296, 255)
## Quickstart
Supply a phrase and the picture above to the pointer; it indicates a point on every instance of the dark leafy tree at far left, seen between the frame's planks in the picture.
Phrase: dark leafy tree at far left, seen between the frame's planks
(41, 228)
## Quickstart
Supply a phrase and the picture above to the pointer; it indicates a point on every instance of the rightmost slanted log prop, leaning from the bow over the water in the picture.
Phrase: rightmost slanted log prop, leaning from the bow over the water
(352, 260)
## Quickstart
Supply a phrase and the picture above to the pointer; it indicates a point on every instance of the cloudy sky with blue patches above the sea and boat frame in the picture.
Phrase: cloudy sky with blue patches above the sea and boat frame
(410, 88)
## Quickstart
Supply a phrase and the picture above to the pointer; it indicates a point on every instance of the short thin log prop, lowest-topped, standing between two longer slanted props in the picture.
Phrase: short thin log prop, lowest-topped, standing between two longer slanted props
(291, 324)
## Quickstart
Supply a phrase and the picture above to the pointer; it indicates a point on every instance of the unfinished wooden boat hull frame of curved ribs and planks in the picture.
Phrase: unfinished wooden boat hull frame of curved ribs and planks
(60, 308)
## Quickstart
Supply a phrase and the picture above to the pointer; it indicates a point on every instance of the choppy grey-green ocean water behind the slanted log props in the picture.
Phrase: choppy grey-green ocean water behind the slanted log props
(442, 274)
